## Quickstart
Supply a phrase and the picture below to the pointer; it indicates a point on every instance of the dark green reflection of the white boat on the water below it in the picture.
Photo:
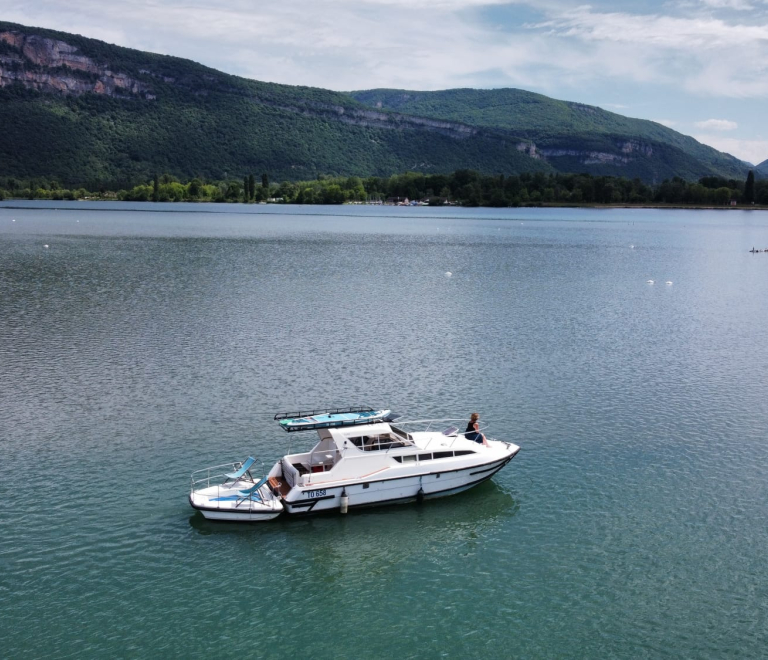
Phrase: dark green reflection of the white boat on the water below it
(372, 540)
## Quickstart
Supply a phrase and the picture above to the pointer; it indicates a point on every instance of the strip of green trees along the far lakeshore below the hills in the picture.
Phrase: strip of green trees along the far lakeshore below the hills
(463, 187)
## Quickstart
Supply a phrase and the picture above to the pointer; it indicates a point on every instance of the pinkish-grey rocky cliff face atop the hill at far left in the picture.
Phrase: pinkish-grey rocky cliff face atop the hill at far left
(55, 66)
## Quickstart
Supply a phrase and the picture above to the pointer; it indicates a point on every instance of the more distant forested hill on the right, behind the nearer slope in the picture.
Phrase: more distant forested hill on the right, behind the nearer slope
(573, 137)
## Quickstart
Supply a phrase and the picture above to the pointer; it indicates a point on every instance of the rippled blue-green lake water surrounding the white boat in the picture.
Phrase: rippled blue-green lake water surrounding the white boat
(149, 341)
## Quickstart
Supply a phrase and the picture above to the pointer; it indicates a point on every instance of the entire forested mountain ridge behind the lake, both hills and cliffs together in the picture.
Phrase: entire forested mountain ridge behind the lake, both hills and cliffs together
(82, 111)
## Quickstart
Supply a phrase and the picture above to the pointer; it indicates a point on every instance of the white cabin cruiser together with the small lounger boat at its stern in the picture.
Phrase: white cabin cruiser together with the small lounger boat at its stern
(363, 457)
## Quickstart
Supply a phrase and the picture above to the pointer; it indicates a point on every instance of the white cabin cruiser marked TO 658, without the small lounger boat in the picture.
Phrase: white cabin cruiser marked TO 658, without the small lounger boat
(363, 462)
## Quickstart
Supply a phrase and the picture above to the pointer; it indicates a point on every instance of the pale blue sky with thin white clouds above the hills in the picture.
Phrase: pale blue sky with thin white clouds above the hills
(698, 66)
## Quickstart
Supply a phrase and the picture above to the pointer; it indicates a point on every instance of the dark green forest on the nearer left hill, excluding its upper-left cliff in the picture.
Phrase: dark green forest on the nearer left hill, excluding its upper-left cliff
(206, 123)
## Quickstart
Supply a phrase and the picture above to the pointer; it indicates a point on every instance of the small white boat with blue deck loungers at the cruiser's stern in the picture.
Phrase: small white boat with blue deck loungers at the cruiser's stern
(230, 492)
